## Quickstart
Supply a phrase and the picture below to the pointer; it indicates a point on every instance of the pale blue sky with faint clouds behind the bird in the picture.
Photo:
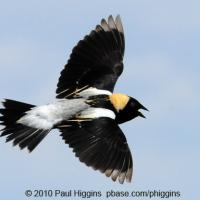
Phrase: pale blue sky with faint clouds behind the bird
(162, 71)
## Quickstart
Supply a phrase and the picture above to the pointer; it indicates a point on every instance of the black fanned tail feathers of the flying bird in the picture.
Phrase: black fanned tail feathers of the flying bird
(20, 134)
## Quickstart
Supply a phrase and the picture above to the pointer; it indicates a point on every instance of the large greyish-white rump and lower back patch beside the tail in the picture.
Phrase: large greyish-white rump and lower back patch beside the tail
(46, 116)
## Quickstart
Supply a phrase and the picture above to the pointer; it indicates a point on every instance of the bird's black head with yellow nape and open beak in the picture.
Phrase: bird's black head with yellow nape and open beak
(126, 107)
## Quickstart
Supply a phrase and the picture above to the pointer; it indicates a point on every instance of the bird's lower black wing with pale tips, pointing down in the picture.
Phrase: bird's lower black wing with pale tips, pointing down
(101, 144)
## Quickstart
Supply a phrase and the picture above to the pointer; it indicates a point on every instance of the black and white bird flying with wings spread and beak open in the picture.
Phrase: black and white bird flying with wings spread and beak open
(86, 111)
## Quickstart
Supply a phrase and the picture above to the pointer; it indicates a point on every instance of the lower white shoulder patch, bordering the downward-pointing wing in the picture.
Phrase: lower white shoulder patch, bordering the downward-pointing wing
(96, 113)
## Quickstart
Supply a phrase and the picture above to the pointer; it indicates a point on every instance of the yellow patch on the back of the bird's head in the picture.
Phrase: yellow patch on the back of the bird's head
(119, 101)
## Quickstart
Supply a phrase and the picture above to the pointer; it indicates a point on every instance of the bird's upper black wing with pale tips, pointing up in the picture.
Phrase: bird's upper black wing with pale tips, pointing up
(96, 61)
